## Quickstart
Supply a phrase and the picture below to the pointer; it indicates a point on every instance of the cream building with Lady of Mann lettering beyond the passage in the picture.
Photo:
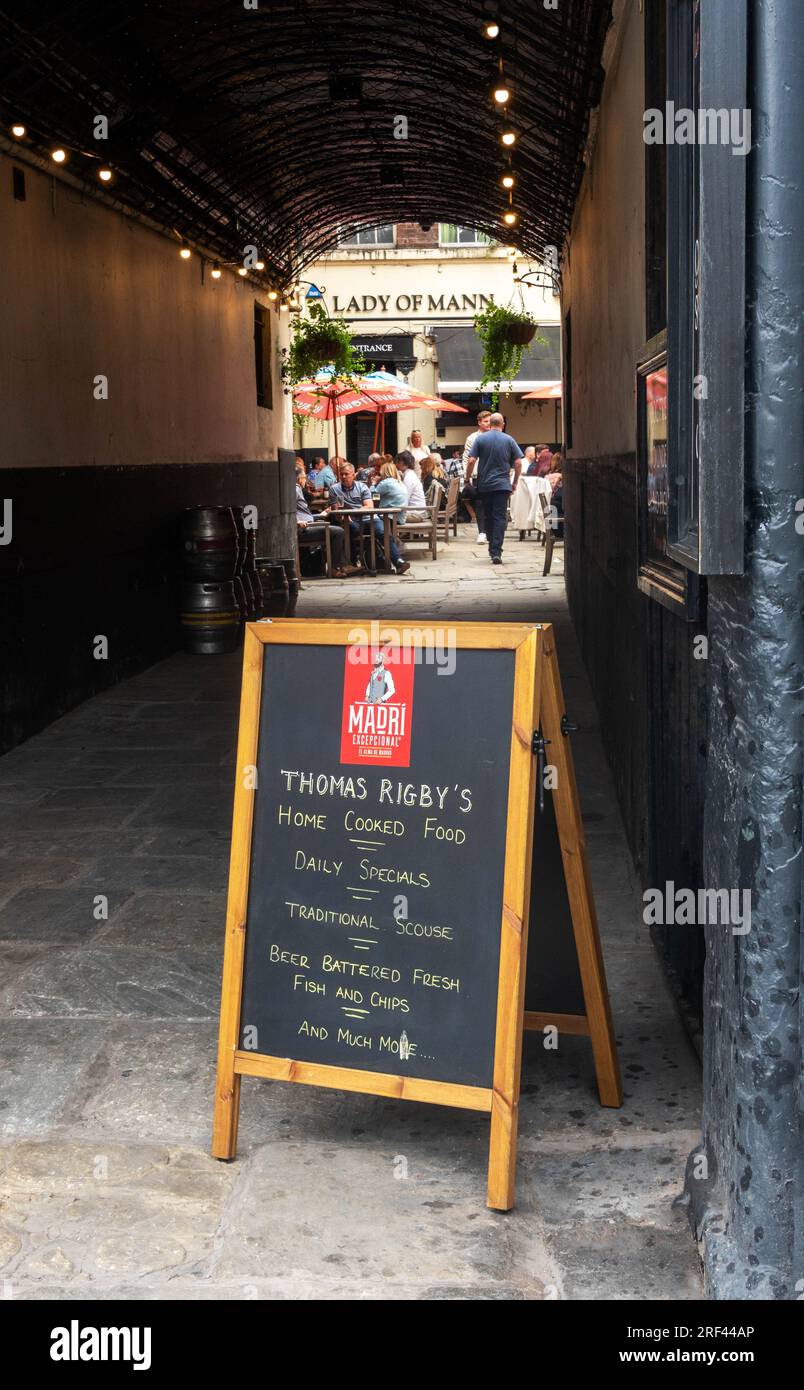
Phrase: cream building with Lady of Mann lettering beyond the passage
(411, 295)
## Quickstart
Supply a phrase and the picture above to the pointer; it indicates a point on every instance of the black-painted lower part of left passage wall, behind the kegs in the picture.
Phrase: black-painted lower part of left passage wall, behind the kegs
(97, 551)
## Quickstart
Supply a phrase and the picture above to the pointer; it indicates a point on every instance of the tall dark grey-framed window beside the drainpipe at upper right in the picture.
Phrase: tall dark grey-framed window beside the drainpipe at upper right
(706, 70)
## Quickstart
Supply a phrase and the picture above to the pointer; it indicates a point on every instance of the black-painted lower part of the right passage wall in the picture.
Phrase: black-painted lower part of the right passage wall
(652, 697)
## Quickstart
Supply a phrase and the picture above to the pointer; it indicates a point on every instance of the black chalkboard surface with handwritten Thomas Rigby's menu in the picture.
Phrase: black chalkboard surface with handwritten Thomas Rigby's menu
(373, 926)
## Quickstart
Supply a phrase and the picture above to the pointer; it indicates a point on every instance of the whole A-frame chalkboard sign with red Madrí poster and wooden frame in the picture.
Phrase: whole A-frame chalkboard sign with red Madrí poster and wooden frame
(380, 869)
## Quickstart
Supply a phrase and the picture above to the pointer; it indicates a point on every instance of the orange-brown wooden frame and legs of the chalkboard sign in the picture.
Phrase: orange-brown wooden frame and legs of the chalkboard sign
(536, 703)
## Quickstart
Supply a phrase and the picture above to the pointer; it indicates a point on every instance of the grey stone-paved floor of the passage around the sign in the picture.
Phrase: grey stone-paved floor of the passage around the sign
(108, 1028)
